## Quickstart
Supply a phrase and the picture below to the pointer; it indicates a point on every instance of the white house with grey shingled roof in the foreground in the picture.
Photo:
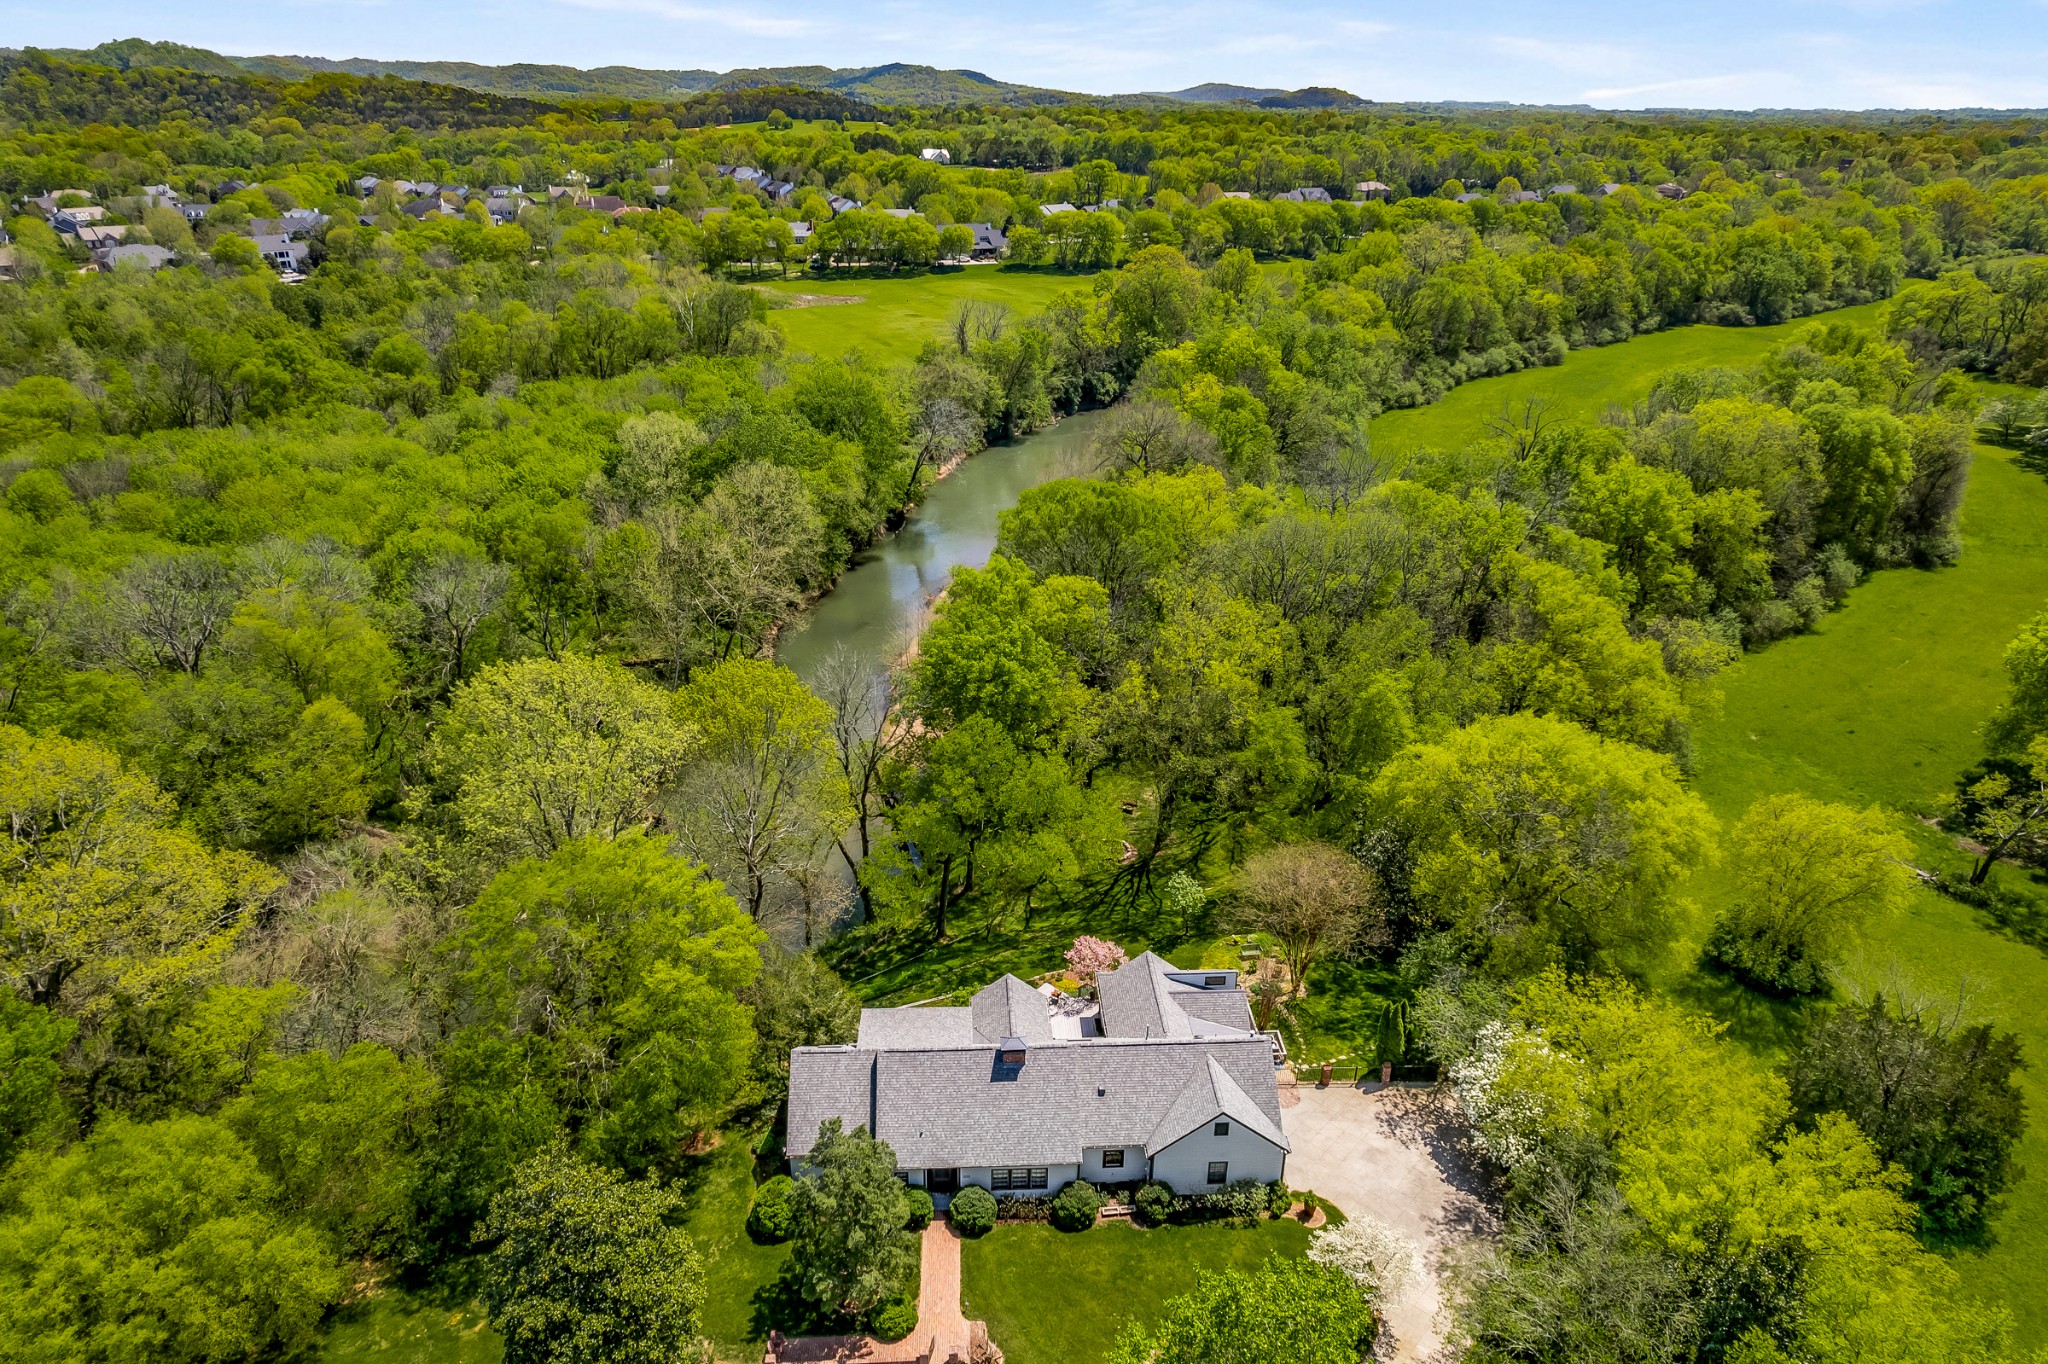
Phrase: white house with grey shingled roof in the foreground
(1025, 1091)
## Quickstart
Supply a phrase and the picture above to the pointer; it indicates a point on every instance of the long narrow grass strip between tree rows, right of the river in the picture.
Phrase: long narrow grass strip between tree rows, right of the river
(1582, 388)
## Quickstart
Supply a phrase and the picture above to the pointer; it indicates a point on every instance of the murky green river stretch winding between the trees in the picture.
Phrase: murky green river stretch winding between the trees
(884, 599)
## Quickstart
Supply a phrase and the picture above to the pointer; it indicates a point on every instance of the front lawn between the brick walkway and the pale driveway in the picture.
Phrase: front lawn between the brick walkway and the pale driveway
(1056, 1297)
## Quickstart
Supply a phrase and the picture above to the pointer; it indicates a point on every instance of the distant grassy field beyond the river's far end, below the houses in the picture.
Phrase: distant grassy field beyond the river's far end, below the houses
(898, 314)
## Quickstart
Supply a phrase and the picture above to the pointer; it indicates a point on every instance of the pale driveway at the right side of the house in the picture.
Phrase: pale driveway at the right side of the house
(1400, 1156)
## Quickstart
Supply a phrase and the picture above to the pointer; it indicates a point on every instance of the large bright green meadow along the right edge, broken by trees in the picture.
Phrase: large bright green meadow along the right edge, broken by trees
(1883, 706)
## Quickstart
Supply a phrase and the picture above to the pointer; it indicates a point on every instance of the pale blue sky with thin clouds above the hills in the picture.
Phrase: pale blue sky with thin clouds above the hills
(1617, 54)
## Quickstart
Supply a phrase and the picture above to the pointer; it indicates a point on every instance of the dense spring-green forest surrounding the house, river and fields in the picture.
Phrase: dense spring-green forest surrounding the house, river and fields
(415, 841)
